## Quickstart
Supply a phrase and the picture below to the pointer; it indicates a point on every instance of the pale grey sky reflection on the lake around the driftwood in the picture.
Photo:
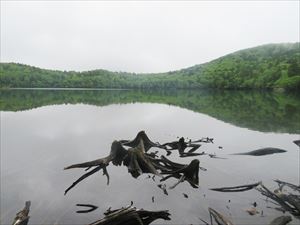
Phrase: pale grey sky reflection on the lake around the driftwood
(37, 144)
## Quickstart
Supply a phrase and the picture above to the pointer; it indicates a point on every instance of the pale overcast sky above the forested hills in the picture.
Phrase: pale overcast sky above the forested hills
(144, 36)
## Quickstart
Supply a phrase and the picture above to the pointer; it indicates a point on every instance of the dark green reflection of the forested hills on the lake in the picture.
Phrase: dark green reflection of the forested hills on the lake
(263, 111)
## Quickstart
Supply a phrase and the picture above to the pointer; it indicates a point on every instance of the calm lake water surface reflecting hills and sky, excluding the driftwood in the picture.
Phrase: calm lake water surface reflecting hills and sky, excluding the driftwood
(42, 131)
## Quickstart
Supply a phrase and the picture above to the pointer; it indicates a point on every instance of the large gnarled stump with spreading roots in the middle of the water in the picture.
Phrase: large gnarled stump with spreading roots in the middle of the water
(138, 161)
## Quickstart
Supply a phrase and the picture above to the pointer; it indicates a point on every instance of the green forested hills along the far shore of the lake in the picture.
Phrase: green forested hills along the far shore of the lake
(267, 66)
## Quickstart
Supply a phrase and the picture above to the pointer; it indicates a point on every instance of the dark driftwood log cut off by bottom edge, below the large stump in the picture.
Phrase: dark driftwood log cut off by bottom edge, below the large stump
(131, 216)
